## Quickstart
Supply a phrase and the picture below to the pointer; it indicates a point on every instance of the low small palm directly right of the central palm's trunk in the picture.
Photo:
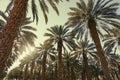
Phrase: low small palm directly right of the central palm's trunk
(71, 66)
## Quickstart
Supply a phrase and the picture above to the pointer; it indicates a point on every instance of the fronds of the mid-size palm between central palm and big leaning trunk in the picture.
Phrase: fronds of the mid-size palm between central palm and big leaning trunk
(86, 47)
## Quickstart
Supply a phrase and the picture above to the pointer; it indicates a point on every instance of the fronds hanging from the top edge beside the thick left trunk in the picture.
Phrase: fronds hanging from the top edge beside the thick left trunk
(43, 5)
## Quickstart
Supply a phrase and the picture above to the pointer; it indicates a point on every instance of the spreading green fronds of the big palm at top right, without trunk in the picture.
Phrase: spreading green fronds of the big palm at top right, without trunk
(103, 12)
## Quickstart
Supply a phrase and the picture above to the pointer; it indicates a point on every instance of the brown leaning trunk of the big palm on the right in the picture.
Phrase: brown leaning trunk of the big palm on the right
(104, 64)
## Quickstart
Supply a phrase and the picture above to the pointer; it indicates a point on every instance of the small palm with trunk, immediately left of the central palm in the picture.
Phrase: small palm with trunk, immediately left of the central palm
(47, 53)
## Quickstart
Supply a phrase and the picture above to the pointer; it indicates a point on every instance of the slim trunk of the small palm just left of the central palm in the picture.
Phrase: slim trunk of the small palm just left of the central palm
(44, 66)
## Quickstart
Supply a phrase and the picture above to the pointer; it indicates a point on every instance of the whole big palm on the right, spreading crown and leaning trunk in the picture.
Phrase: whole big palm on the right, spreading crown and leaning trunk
(96, 15)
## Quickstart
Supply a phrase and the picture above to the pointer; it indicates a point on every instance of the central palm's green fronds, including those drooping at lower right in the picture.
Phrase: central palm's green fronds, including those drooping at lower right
(57, 33)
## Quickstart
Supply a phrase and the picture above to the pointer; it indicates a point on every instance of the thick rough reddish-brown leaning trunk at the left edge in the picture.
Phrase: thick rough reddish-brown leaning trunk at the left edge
(9, 32)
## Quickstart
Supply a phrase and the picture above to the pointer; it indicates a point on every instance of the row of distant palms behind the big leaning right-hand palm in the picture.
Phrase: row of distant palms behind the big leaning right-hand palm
(75, 59)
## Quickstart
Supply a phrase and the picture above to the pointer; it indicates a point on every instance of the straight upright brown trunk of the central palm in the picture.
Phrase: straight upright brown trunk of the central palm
(59, 47)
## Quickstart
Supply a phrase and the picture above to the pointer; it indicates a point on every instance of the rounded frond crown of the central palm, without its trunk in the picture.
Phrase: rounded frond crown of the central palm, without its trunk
(56, 33)
